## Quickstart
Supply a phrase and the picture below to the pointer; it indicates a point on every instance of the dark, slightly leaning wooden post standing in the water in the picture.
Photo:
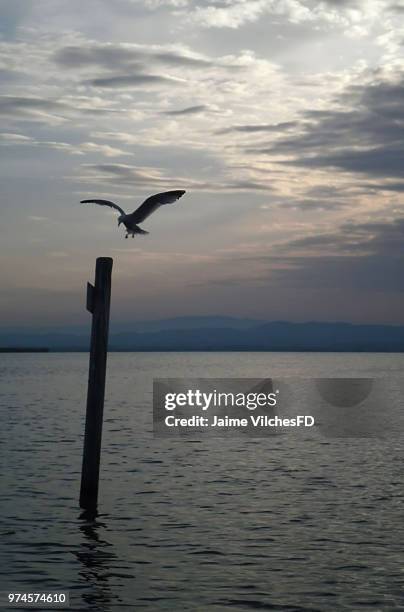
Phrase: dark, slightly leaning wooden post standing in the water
(98, 301)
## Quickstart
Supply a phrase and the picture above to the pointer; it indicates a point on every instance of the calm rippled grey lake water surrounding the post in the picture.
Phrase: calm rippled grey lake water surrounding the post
(281, 523)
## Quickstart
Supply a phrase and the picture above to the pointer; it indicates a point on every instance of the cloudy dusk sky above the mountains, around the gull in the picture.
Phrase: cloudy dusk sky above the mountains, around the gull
(282, 119)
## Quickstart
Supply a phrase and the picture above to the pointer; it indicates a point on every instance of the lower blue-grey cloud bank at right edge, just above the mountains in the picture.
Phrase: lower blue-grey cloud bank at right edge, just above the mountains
(354, 257)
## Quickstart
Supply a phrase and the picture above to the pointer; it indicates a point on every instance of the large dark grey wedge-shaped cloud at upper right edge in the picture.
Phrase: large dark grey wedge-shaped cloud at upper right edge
(365, 136)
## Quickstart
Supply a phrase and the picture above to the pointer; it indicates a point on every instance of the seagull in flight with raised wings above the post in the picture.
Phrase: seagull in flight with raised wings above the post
(151, 204)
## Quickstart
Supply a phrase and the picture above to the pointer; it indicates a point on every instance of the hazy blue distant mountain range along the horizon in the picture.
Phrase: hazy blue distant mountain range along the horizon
(217, 334)
